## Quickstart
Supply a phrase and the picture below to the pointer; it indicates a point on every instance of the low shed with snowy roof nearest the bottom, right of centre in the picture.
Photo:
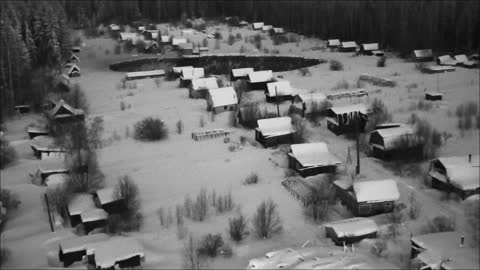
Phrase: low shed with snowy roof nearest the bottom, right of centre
(351, 230)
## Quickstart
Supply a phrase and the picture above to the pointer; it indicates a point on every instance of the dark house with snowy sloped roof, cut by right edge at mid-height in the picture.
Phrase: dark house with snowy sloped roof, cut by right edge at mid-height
(458, 174)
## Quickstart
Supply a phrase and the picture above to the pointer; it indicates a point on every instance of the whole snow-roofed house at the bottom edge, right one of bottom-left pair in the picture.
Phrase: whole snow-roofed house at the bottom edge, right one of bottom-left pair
(116, 253)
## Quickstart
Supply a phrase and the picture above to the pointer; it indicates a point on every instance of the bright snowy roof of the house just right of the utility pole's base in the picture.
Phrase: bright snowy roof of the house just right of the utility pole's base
(376, 191)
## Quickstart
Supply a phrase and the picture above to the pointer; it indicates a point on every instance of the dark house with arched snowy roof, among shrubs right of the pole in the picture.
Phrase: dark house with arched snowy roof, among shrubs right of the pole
(388, 142)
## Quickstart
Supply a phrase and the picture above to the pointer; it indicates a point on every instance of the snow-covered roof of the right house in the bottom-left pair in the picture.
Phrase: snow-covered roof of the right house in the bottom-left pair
(116, 249)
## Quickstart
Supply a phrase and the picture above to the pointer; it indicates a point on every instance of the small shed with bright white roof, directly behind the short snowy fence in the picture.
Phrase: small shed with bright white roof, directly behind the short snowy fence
(222, 99)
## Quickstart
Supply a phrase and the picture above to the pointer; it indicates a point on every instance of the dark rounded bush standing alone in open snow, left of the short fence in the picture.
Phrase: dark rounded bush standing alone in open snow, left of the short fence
(150, 129)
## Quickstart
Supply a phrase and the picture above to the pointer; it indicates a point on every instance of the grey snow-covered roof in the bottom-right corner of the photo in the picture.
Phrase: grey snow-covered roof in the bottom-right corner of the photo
(438, 246)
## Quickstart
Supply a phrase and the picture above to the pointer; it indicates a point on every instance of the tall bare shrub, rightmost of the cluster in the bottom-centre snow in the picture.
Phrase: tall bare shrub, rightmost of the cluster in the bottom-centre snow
(266, 220)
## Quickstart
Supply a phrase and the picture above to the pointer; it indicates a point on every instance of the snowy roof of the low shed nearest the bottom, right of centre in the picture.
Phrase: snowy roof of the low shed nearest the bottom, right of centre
(353, 227)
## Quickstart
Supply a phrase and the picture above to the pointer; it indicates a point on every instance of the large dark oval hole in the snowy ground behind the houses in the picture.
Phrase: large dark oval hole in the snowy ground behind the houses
(219, 64)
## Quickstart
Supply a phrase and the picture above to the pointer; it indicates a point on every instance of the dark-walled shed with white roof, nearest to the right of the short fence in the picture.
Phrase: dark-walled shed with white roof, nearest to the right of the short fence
(275, 131)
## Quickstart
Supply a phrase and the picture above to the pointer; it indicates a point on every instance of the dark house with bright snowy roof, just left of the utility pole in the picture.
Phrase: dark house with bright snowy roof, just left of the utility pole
(311, 159)
